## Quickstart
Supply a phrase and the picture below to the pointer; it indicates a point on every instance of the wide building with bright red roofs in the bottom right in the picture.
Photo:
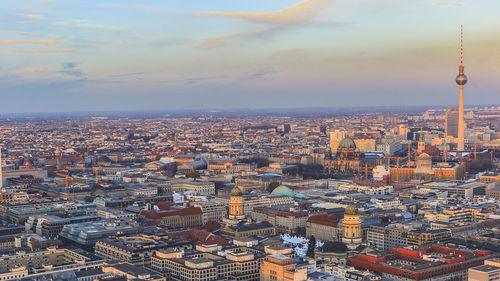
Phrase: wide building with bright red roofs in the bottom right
(421, 263)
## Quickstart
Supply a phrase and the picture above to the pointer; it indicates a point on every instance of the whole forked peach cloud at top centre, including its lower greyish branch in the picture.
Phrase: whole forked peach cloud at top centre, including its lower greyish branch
(268, 23)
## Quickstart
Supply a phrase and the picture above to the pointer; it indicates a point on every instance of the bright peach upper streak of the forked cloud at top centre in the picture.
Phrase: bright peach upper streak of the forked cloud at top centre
(301, 13)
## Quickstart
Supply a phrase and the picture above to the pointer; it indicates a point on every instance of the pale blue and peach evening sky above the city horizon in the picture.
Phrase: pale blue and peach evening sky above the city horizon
(89, 55)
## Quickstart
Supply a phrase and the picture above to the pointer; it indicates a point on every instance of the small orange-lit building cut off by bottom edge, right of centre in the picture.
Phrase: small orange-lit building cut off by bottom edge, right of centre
(281, 268)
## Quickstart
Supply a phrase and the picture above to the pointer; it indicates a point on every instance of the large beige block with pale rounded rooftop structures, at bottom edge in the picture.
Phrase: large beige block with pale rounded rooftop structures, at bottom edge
(209, 262)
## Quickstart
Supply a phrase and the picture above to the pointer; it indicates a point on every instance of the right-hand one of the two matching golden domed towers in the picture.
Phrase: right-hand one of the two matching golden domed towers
(352, 234)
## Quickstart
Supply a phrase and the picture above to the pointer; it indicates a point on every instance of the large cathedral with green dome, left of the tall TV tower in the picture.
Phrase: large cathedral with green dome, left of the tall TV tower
(348, 159)
